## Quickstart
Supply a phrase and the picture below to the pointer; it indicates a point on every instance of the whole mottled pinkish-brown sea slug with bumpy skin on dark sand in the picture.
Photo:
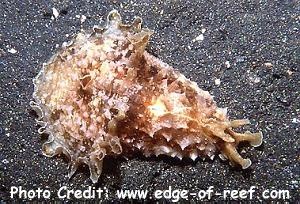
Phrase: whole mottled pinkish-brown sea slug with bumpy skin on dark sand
(103, 94)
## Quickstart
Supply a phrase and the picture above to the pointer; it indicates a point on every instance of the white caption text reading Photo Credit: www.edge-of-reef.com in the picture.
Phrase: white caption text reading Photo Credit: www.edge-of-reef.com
(209, 194)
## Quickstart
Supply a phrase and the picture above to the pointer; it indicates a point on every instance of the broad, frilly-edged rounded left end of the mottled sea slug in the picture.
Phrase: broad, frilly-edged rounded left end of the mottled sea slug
(84, 89)
